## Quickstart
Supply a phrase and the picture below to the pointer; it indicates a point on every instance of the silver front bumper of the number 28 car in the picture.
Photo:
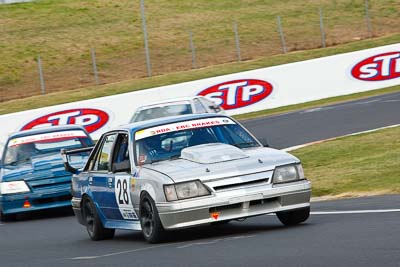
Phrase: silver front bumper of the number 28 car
(235, 204)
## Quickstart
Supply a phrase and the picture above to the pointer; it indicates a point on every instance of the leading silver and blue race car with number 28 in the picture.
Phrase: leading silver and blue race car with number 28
(181, 172)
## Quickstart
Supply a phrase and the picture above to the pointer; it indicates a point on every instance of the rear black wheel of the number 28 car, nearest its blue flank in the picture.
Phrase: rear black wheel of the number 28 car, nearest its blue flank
(94, 226)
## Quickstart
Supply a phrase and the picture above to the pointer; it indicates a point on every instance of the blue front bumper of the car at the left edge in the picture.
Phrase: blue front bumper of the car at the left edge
(14, 203)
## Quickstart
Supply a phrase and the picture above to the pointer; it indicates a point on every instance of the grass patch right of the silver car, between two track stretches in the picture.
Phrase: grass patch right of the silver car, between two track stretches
(366, 164)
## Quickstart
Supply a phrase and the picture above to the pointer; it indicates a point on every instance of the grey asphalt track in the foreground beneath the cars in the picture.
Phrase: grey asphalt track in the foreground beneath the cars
(327, 239)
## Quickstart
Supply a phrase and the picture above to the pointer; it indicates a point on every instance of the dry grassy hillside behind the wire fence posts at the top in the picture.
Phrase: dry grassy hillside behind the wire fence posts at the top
(63, 32)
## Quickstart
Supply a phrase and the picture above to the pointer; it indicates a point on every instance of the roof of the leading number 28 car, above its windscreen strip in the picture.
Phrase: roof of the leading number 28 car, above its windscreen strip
(166, 120)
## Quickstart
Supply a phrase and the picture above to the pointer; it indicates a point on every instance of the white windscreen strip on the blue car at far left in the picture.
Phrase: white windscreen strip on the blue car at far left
(46, 137)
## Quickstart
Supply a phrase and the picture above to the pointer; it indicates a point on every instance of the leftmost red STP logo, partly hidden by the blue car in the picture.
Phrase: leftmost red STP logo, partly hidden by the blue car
(91, 119)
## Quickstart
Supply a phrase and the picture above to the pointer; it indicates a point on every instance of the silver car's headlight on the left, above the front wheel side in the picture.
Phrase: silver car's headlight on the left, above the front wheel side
(185, 190)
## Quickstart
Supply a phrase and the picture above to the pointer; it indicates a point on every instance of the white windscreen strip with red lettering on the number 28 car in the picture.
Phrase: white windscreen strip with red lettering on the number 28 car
(179, 126)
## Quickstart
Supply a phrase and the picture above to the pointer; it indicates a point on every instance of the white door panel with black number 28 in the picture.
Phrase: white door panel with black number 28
(123, 197)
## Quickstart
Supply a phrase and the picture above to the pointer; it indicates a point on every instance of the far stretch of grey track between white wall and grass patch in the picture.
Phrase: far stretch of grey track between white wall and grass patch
(315, 124)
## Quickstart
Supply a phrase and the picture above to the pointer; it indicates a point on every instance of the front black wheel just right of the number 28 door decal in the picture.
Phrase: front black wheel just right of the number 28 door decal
(152, 229)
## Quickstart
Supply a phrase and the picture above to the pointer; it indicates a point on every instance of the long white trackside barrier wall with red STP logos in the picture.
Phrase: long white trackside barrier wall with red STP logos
(238, 93)
